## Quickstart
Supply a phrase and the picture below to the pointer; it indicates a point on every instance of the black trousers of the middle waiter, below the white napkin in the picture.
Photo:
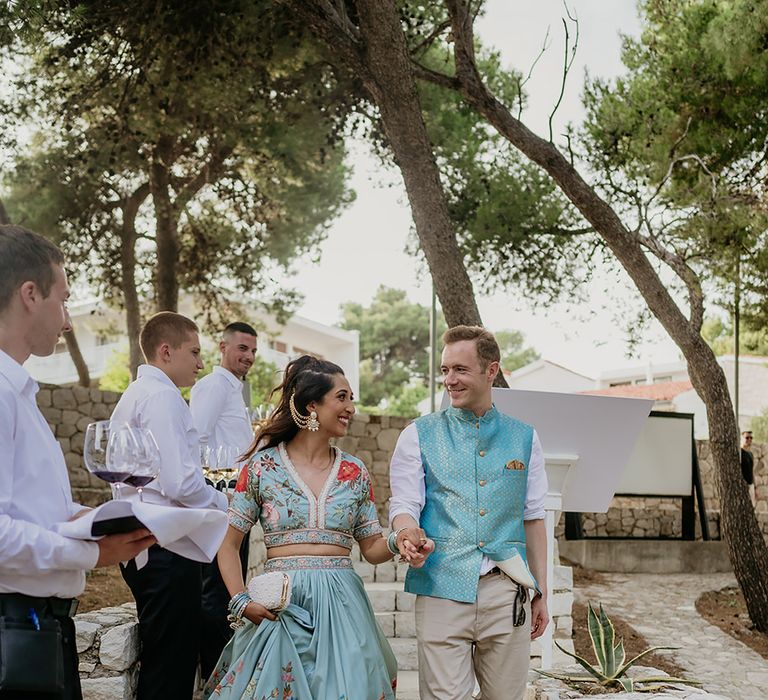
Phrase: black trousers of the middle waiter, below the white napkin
(168, 594)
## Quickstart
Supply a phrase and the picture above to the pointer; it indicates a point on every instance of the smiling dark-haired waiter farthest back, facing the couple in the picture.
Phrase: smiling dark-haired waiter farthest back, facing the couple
(221, 418)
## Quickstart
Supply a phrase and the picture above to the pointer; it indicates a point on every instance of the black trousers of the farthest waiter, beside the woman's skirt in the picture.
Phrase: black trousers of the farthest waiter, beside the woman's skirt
(215, 629)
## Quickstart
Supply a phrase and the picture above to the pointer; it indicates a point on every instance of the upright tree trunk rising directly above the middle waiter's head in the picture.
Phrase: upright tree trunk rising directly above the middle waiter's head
(166, 229)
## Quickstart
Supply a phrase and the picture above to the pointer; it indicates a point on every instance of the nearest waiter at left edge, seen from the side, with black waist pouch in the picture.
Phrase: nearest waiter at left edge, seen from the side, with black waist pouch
(41, 572)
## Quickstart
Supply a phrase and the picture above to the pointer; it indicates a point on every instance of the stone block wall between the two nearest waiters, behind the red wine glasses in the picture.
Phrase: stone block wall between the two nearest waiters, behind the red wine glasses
(68, 411)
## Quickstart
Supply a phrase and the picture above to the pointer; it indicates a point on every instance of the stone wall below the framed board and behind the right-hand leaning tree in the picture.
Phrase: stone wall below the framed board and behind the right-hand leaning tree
(661, 517)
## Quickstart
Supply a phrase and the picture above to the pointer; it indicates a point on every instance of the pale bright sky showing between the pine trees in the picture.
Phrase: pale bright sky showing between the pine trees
(365, 247)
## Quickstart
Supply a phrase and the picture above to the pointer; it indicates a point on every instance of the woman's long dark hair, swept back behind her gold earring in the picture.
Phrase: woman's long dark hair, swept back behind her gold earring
(311, 379)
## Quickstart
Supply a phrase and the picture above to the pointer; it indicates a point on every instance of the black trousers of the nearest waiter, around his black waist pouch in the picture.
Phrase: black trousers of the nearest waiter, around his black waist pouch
(16, 607)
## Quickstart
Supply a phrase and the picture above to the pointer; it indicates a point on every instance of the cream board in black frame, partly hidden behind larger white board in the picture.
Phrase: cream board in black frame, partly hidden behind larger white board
(660, 464)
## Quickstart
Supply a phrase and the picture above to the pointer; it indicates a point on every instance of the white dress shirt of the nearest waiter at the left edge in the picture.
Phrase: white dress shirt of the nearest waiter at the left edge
(34, 495)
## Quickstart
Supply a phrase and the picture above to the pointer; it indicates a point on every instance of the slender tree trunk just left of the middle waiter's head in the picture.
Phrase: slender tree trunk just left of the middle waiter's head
(128, 275)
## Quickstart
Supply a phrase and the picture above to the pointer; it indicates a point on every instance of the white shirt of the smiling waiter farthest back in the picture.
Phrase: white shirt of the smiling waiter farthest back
(219, 411)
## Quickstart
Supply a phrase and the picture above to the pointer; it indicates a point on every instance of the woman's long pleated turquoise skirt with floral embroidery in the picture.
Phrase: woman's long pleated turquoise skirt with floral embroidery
(326, 645)
